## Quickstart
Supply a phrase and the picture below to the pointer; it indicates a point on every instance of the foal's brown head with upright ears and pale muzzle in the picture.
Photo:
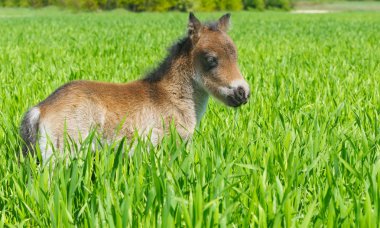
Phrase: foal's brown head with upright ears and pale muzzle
(215, 61)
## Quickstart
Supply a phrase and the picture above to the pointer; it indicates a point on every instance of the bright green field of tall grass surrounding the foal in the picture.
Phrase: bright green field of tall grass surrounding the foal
(304, 151)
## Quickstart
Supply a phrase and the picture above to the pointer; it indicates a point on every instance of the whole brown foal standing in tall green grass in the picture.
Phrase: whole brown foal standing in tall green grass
(203, 63)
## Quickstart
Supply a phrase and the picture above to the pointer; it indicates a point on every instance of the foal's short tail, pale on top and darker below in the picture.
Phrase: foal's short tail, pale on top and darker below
(29, 129)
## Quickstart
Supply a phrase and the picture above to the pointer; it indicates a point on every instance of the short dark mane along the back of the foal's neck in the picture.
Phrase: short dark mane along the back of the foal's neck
(182, 47)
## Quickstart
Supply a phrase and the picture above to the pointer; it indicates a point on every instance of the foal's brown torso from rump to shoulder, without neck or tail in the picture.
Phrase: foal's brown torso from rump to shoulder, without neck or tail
(82, 106)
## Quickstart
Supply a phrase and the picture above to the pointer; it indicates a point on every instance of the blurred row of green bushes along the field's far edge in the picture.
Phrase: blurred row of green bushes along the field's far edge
(153, 5)
